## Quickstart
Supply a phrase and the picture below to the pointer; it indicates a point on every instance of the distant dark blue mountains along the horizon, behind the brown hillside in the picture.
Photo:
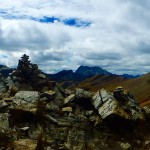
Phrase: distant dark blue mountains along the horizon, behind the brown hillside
(80, 74)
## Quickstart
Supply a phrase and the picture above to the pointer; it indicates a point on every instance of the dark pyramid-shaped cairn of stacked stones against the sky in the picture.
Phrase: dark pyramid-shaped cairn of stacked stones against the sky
(28, 75)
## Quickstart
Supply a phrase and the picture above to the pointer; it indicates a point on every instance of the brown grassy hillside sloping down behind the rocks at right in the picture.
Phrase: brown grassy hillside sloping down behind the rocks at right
(139, 86)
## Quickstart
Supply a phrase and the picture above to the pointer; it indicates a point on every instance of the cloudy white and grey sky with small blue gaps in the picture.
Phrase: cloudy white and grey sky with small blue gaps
(64, 34)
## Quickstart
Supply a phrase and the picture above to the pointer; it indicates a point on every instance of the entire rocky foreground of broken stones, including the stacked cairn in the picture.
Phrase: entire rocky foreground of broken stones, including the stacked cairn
(37, 114)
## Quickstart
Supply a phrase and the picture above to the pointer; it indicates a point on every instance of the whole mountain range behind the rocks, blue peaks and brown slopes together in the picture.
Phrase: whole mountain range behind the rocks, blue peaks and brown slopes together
(94, 78)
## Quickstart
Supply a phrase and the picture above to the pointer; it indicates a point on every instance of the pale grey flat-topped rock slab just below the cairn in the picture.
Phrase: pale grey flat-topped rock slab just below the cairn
(29, 96)
